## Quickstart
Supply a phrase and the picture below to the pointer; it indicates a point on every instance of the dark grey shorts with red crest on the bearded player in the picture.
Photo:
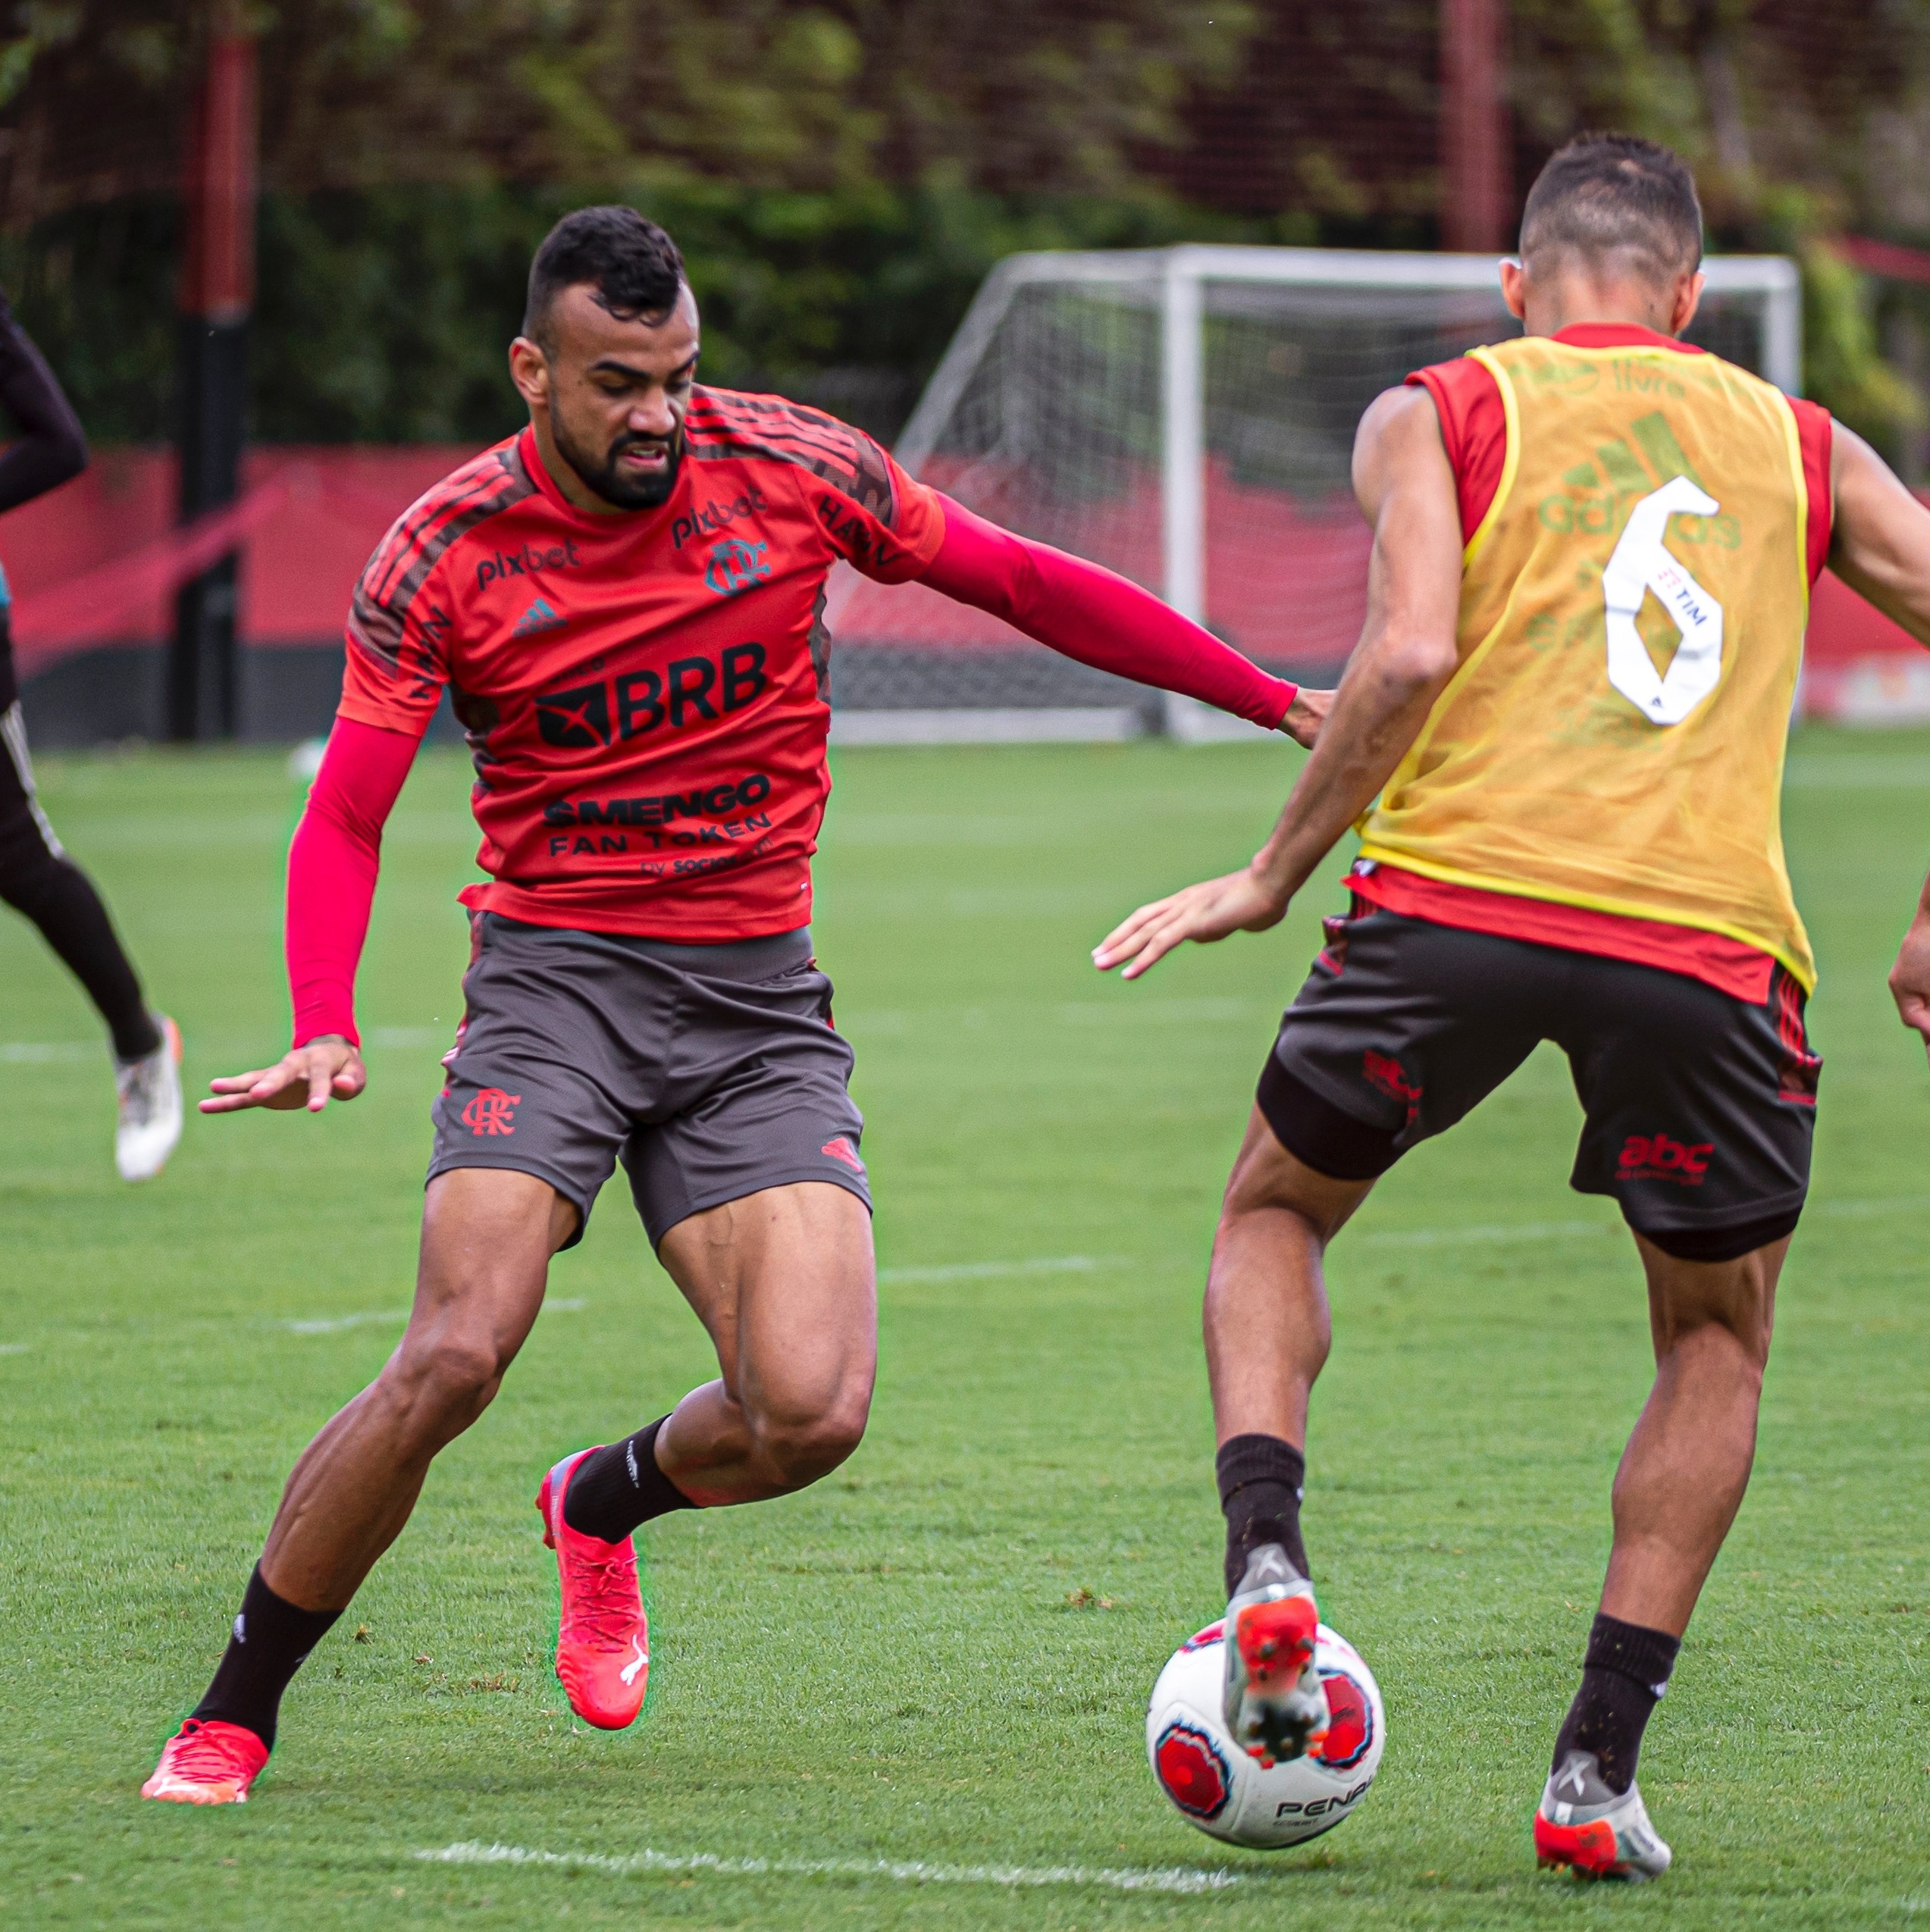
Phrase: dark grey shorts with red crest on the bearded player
(710, 1071)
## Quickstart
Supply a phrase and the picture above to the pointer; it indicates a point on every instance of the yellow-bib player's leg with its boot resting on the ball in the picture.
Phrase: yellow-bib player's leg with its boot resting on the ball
(1268, 1332)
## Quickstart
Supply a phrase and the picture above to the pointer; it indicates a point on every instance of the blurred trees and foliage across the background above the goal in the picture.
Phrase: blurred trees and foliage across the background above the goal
(843, 173)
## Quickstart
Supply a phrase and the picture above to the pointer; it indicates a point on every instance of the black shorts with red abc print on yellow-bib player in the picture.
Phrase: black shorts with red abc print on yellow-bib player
(1699, 1106)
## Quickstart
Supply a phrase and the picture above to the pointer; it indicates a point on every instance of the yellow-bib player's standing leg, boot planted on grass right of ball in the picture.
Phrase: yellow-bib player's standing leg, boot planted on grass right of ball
(1678, 1491)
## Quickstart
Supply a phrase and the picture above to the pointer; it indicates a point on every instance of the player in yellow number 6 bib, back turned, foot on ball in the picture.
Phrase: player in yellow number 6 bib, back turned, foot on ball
(1562, 737)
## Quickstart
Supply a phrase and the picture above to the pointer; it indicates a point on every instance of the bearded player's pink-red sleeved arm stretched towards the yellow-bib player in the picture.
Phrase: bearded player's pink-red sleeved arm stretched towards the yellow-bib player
(1098, 617)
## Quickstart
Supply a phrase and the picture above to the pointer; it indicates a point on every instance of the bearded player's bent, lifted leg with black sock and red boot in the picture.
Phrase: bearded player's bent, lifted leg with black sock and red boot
(785, 1286)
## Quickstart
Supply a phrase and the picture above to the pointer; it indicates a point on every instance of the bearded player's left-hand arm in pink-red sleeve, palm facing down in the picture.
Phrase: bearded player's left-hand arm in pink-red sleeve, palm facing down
(331, 886)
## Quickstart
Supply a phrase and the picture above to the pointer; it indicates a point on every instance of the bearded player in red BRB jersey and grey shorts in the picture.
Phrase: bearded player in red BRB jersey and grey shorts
(627, 608)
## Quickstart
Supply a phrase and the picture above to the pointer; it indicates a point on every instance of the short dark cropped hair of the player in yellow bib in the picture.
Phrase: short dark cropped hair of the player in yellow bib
(1608, 192)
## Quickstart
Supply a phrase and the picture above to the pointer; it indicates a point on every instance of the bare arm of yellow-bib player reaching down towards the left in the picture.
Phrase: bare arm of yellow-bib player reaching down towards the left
(1405, 658)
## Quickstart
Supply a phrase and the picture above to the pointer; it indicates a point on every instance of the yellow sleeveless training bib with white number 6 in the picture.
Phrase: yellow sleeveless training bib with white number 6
(1632, 631)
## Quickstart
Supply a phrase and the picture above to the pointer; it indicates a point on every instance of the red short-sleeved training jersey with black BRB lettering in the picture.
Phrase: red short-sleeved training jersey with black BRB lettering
(646, 695)
